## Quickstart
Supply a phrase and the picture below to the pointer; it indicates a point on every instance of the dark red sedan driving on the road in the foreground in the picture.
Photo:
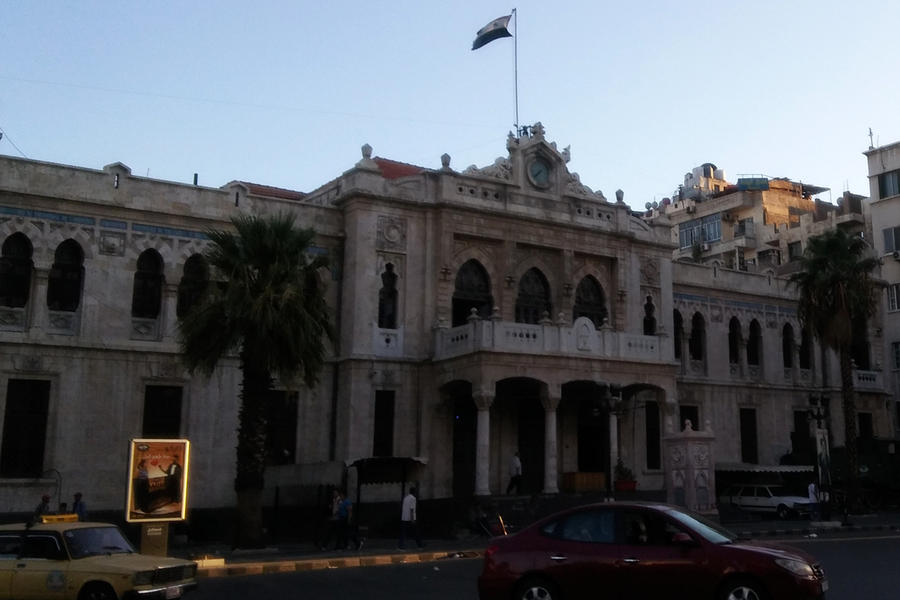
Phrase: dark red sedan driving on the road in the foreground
(641, 550)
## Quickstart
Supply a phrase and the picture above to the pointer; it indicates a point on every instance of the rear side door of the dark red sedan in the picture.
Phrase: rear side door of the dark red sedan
(579, 553)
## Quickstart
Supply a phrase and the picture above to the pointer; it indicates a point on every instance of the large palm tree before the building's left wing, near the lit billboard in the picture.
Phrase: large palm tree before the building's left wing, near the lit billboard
(268, 306)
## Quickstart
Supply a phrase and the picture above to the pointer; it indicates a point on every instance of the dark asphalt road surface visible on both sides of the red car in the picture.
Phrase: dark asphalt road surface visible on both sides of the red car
(863, 566)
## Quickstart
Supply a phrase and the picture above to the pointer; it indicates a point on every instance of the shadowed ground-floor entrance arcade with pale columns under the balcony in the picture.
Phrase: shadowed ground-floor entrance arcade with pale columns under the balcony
(583, 427)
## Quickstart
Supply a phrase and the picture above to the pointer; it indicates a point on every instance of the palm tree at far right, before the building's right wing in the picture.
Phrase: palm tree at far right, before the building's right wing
(836, 289)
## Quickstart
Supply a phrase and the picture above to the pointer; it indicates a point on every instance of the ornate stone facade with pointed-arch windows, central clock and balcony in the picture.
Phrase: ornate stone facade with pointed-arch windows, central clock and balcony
(479, 313)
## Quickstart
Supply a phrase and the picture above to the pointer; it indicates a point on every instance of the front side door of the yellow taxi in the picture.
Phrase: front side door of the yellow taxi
(41, 569)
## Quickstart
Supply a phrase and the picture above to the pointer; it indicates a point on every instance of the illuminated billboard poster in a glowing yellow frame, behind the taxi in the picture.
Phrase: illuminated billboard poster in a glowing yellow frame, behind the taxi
(157, 480)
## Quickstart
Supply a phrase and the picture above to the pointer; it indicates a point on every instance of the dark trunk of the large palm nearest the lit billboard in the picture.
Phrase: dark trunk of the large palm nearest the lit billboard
(251, 453)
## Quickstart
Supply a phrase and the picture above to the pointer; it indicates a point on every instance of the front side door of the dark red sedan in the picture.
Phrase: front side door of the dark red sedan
(660, 558)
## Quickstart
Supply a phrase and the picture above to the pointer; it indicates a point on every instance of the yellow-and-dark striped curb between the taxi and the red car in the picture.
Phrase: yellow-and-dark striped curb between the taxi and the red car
(316, 564)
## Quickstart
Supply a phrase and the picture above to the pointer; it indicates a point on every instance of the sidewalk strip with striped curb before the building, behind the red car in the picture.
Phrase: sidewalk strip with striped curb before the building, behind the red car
(222, 561)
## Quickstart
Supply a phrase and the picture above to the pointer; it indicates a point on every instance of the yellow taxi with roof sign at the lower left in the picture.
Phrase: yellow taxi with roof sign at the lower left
(65, 559)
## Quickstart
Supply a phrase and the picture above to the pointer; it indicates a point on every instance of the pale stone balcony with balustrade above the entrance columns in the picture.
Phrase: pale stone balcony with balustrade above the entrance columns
(579, 339)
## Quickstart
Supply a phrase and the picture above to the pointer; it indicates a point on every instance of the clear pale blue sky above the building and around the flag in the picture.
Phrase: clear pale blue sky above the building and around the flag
(285, 93)
